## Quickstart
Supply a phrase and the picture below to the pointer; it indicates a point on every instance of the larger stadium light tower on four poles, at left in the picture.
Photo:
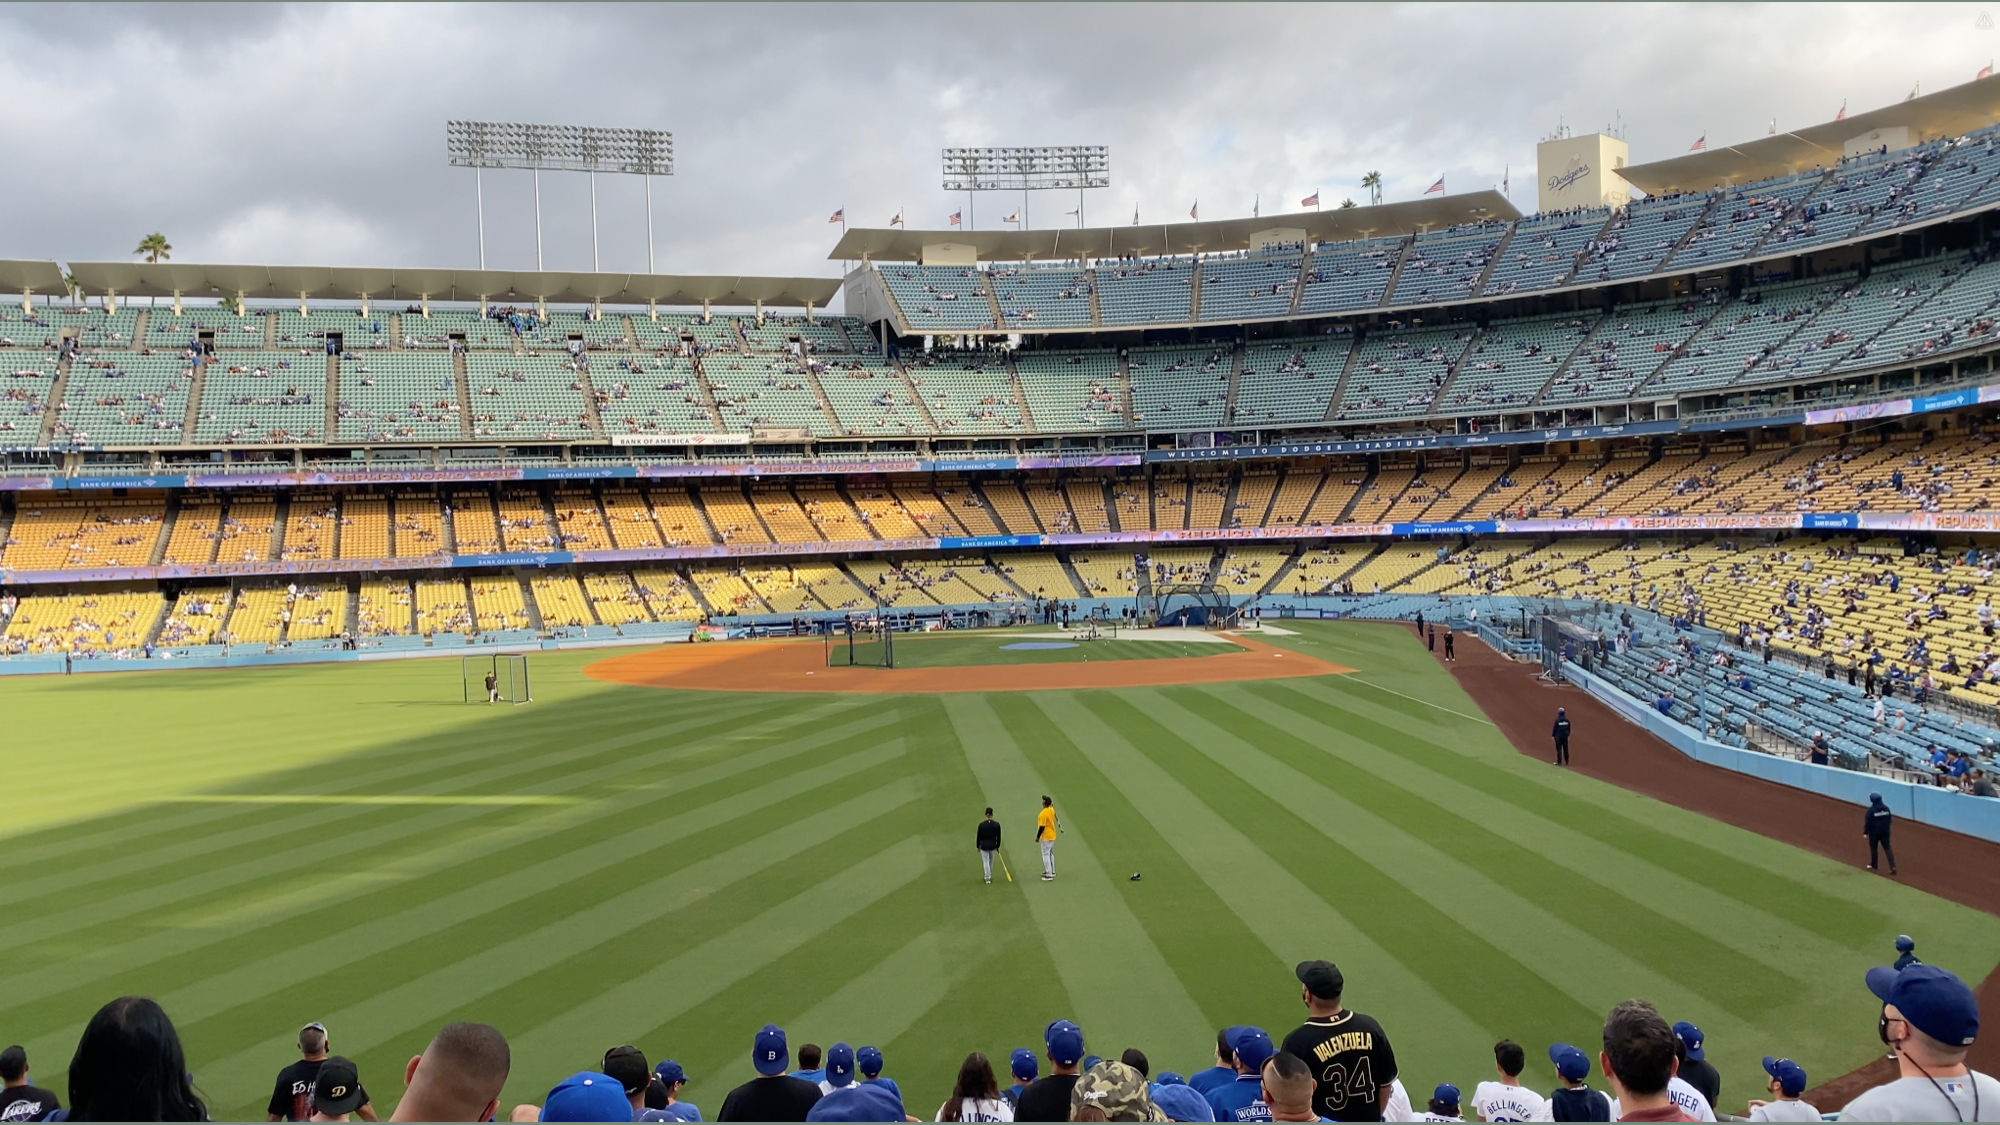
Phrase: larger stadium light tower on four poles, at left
(591, 149)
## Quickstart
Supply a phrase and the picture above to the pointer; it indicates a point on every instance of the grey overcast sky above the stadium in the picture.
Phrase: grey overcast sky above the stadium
(315, 135)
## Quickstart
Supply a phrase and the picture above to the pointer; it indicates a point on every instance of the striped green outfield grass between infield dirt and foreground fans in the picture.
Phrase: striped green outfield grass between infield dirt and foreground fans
(611, 864)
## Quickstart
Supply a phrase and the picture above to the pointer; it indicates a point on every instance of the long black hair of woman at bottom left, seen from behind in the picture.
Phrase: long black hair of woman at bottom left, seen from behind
(129, 1068)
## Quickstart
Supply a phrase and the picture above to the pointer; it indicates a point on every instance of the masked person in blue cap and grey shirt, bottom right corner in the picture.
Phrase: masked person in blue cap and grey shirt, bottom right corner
(1931, 1020)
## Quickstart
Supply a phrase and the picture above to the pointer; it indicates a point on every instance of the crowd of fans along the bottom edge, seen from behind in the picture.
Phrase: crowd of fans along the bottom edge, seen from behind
(1337, 1066)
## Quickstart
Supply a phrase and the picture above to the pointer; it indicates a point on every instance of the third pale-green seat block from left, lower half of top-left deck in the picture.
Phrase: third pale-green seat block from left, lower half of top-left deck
(263, 399)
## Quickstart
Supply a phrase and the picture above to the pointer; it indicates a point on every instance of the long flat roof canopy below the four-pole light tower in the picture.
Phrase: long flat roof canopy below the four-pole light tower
(339, 283)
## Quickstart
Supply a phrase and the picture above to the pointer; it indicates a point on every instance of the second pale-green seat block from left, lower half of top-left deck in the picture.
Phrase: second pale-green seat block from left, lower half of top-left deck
(125, 399)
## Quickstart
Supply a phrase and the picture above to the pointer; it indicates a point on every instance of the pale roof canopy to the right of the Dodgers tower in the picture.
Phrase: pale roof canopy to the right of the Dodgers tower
(1947, 113)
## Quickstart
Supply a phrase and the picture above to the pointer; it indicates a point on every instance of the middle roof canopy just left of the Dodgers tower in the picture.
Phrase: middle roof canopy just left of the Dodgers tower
(891, 245)
